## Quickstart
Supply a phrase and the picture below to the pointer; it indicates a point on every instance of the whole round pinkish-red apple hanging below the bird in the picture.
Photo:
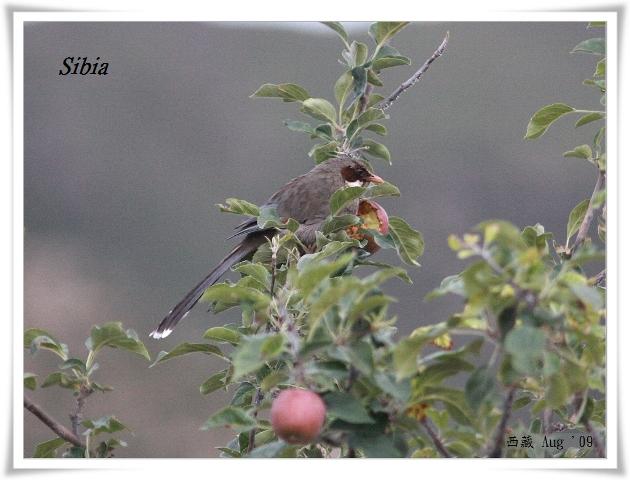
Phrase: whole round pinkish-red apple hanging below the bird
(297, 415)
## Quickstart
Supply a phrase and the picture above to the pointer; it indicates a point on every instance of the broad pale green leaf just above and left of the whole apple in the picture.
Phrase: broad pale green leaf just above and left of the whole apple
(254, 351)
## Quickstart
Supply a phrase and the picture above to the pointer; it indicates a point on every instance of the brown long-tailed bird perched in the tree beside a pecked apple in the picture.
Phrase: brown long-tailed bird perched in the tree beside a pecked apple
(305, 199)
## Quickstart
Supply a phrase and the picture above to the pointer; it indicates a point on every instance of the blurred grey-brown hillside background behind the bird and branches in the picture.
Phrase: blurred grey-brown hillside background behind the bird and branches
(122, 173)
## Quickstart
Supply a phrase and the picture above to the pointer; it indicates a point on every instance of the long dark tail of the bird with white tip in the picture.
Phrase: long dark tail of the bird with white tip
(247, 247)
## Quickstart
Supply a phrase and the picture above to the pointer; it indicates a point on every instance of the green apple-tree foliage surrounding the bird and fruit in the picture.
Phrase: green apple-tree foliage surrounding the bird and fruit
(530, 335)
